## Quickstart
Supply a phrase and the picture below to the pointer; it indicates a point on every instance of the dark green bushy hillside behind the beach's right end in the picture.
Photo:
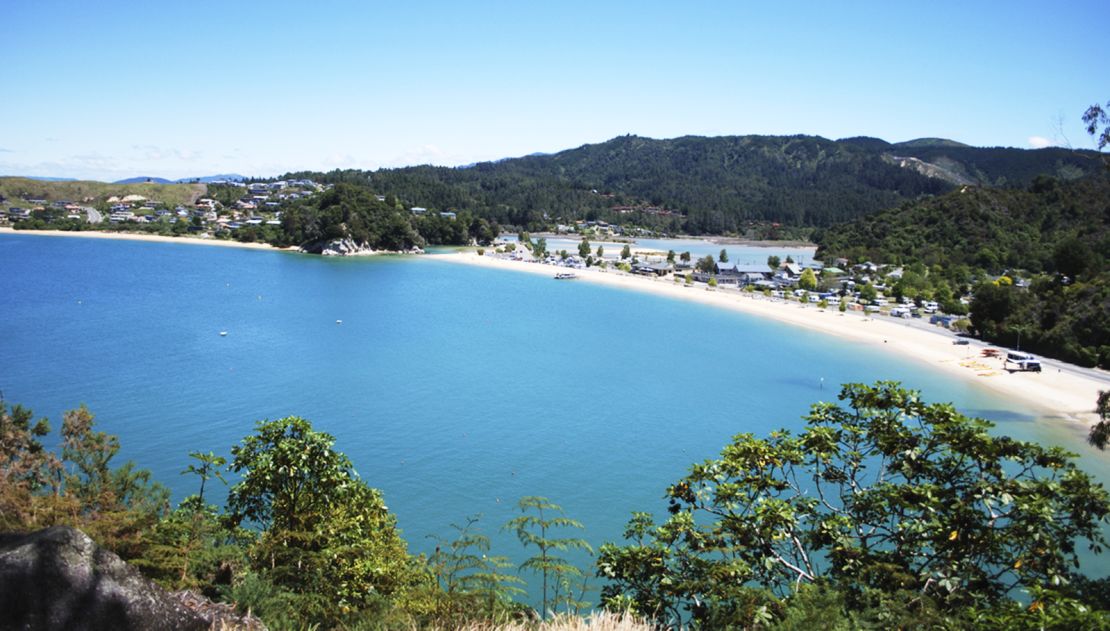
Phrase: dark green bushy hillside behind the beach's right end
(1055, 235)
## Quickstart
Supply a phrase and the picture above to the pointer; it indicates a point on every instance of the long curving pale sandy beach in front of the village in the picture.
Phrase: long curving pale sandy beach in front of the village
(1061, 392)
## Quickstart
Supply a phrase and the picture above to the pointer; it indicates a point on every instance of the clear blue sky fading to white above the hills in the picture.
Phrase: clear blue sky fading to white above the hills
(109, 91)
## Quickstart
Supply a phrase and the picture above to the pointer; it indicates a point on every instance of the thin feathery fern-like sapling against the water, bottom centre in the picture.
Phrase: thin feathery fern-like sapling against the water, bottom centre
(562, 580)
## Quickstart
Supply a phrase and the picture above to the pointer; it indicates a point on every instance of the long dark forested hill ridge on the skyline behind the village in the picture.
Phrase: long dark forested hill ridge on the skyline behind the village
(717, 185)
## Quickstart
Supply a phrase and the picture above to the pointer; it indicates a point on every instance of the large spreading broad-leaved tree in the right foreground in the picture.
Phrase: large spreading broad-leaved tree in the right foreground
(887, 494)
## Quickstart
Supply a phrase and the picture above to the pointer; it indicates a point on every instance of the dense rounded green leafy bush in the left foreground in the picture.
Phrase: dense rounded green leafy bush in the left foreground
(326, 533)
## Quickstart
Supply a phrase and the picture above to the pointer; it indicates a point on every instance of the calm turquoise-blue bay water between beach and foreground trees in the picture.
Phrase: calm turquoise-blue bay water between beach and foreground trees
(456, 390)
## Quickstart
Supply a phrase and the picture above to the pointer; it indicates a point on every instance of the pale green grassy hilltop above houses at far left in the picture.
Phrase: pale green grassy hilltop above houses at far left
(16, 189)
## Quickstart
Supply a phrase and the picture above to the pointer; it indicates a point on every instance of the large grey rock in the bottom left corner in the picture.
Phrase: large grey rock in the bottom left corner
(58, 578)
